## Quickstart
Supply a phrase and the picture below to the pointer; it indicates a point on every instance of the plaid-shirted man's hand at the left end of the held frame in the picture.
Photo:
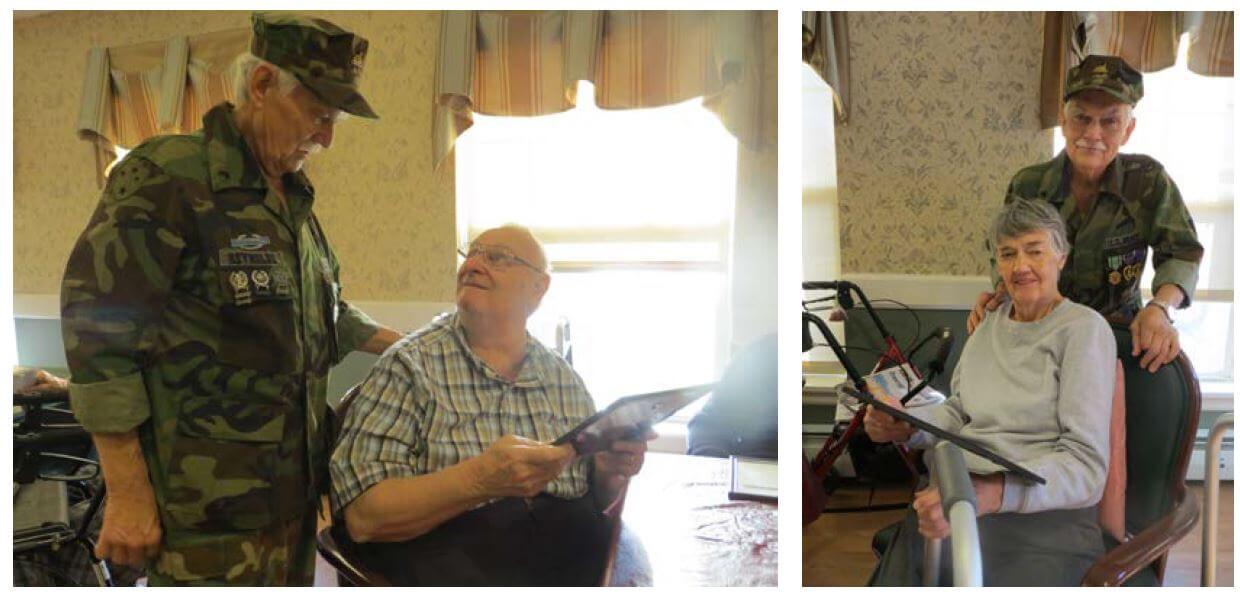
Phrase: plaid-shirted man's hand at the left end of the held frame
(519, 467)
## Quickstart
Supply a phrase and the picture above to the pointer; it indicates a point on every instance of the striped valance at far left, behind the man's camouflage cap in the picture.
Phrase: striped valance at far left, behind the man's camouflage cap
(136, 92)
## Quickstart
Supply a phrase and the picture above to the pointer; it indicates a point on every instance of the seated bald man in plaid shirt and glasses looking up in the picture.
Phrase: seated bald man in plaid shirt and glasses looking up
(443, 472)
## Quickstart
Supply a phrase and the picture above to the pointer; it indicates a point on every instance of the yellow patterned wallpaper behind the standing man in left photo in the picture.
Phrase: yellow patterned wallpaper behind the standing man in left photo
(389, 216)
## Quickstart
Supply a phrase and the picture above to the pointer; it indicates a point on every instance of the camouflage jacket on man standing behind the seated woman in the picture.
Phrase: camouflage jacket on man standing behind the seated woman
(1138, 209)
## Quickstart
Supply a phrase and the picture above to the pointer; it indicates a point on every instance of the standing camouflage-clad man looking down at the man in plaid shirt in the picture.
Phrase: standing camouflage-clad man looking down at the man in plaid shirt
(201, 315)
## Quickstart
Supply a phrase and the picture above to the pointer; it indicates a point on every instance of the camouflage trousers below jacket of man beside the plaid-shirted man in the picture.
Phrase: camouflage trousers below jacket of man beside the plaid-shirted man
(276, 556)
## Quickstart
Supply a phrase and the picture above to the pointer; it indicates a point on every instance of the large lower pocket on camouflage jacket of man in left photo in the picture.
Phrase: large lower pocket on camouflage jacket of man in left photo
(226, 462)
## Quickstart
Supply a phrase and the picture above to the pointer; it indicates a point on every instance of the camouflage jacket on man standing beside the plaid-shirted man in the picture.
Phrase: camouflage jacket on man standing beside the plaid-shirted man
(205, 312)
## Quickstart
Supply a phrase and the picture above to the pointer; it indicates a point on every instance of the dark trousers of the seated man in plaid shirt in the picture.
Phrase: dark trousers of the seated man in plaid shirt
(542, 542)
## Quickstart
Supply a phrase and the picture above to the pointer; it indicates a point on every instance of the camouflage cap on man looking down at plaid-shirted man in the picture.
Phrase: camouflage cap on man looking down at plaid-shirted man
(324, 58)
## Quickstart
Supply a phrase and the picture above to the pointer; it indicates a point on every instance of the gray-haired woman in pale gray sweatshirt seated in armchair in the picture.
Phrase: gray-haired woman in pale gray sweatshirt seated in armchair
(1034, 384)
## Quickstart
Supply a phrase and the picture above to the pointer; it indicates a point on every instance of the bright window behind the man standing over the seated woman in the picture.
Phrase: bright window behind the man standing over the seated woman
(1186, 122)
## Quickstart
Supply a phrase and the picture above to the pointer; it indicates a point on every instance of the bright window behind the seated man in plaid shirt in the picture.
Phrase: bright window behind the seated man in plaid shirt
(634, 209)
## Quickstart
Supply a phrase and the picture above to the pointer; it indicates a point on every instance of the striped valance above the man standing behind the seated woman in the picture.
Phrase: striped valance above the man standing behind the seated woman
(1148, 42)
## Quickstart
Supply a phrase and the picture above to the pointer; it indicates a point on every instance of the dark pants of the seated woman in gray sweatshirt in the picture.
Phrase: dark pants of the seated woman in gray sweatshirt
(1034, 549)
